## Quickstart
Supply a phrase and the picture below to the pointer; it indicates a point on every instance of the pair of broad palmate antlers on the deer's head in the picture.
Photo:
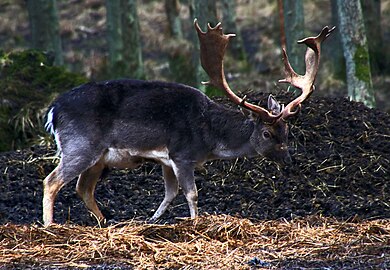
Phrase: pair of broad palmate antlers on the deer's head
(213, 45)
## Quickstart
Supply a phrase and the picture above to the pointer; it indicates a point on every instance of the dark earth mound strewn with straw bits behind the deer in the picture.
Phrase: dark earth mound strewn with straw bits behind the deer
(341, 153)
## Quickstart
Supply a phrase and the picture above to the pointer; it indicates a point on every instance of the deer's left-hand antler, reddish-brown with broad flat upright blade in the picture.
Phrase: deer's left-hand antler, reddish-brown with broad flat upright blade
(213, 45)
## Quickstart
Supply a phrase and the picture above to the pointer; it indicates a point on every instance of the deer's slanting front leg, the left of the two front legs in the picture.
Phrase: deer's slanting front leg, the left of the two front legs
(171, 190)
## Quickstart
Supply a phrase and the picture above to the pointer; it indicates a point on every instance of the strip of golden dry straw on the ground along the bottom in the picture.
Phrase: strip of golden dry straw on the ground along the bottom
(215, 242)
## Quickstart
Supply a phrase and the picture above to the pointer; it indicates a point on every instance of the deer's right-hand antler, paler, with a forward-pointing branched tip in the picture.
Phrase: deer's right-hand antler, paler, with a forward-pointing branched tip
(305, 82)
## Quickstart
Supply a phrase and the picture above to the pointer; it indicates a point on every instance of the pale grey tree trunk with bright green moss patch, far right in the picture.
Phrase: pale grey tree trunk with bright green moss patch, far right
(356, 54)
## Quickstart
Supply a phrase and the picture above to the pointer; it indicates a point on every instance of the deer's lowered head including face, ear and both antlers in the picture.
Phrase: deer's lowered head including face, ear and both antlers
(271, 121)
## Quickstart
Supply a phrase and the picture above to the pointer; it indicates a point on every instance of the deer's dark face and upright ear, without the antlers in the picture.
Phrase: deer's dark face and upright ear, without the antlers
(271, 140)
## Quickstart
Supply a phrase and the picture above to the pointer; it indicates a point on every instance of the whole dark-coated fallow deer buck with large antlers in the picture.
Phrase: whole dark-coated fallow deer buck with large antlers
(122, 123)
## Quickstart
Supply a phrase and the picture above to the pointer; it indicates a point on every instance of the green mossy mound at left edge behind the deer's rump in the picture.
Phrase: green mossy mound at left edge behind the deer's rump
(28, 83)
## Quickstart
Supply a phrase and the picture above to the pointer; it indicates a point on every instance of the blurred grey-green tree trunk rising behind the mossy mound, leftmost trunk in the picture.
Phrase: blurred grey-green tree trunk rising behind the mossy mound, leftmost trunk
(44, 26)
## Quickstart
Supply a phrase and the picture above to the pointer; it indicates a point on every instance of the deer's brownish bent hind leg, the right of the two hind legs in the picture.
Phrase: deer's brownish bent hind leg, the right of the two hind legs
(86, 187)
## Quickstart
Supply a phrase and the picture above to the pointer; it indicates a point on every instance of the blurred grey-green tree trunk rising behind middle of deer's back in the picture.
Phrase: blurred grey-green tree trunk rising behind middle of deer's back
(124, 46)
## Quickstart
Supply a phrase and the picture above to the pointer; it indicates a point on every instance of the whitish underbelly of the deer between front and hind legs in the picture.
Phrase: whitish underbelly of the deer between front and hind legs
(130, 158)
